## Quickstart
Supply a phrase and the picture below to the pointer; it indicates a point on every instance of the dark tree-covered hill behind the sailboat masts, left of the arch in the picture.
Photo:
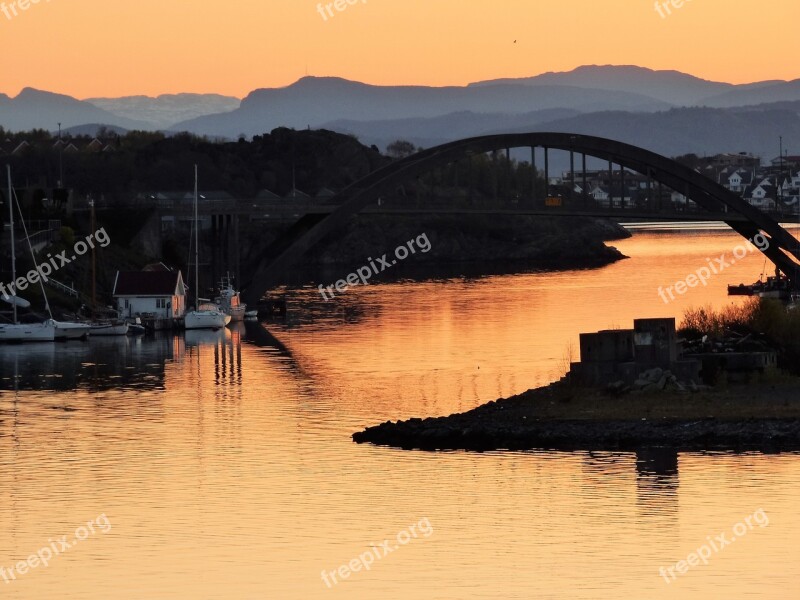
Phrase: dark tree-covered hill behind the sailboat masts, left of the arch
(120, 166)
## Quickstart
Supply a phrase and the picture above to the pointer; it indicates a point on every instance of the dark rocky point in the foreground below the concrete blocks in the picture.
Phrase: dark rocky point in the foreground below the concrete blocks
(763, 417)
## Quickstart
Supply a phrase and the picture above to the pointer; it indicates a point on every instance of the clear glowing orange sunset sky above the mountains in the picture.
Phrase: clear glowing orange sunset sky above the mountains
(91, 48)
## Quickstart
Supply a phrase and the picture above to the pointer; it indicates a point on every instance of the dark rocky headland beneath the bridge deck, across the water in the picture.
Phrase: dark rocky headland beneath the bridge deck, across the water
(462, 243)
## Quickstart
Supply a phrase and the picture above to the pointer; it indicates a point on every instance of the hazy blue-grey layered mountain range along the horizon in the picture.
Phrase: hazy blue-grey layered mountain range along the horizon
(667, 111)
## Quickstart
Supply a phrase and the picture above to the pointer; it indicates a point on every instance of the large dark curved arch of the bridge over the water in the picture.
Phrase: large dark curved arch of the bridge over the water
(783, 247)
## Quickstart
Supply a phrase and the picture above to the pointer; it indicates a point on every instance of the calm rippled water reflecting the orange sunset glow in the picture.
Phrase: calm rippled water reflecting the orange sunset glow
(224, 465)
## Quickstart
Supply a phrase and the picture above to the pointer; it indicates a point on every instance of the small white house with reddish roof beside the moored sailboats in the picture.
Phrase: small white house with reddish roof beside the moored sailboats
(158, 294)
